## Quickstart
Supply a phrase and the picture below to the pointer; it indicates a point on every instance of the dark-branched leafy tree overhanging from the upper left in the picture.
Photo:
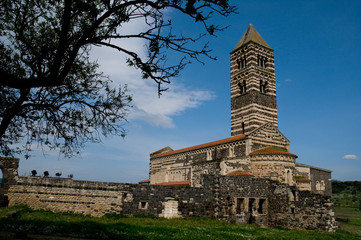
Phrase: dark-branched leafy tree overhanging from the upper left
(53, 94)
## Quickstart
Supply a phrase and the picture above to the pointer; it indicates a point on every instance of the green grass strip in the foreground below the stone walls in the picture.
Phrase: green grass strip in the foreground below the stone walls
(24, 222)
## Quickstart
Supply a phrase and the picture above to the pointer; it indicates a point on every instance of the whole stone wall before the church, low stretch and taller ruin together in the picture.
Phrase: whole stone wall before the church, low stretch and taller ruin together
(237, 199)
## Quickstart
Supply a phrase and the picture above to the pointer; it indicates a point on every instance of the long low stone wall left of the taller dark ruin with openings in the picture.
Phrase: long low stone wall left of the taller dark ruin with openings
(99, 198)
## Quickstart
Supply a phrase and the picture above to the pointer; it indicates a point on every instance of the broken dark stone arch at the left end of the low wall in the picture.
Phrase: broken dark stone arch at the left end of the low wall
(9, 168)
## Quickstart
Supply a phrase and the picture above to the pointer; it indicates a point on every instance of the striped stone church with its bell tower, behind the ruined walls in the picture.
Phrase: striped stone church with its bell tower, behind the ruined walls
(256, 148)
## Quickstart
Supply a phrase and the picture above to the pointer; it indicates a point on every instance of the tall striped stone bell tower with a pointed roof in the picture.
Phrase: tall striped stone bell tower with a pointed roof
(253, 84)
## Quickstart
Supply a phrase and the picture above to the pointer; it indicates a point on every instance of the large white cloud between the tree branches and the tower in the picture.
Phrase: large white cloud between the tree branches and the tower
(146, 104)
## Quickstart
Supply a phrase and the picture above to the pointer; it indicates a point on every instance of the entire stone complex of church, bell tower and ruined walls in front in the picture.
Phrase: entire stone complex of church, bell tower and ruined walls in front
(250, 177)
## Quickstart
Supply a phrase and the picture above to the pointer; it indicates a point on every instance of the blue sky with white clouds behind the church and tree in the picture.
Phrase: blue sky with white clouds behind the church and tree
(317, 48)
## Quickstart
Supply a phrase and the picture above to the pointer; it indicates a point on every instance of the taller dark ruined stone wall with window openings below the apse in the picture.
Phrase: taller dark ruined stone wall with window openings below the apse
(263, 202)
